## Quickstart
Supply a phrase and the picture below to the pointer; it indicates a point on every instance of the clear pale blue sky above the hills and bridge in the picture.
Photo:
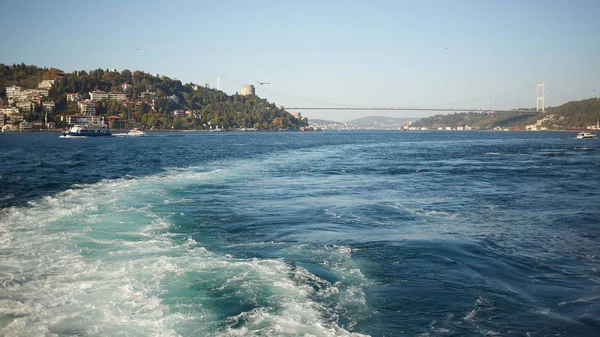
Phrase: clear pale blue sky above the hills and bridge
(363, 53)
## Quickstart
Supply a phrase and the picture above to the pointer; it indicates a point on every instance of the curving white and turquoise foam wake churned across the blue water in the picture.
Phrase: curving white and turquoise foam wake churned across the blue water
(99, 260)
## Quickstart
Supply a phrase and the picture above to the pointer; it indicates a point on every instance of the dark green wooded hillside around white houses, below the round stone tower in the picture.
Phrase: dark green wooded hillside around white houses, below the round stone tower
(210, 107)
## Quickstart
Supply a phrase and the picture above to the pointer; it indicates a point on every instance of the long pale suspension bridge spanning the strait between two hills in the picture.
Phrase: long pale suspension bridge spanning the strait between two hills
(526, 98)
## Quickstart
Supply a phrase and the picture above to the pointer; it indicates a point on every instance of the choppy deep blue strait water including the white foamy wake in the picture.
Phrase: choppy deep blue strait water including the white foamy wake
(300, 234)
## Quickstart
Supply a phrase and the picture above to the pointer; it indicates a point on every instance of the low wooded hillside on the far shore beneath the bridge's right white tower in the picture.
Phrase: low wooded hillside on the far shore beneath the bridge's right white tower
(575, 114)
